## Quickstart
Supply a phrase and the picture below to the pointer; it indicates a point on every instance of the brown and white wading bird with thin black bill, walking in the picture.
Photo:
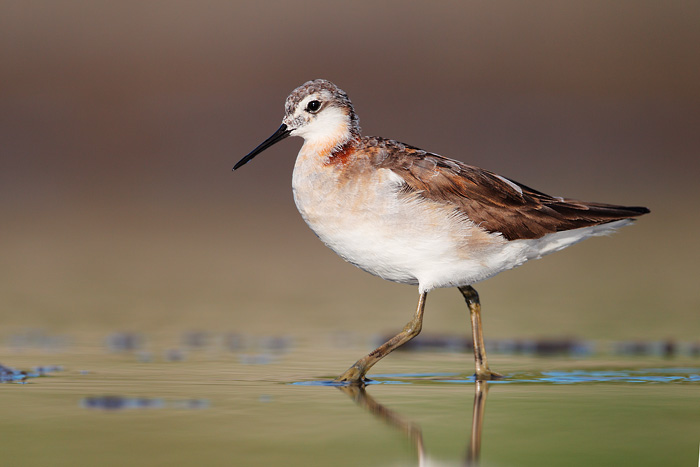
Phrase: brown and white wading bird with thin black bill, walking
(414, 217)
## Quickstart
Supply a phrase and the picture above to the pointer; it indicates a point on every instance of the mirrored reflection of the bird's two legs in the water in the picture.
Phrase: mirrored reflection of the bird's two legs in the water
(413, 431)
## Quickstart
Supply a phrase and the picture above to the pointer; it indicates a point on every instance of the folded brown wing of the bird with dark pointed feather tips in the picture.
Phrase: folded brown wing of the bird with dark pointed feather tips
(493, 202)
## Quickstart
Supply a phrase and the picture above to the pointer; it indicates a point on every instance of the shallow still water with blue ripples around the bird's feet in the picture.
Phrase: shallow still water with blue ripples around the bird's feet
(239, 400)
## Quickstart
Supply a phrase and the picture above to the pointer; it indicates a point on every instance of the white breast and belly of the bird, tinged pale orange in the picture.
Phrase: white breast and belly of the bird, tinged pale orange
(399, 238)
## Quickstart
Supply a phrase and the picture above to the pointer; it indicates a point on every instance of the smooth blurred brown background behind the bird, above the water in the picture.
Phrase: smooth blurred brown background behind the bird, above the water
(120, 122)
